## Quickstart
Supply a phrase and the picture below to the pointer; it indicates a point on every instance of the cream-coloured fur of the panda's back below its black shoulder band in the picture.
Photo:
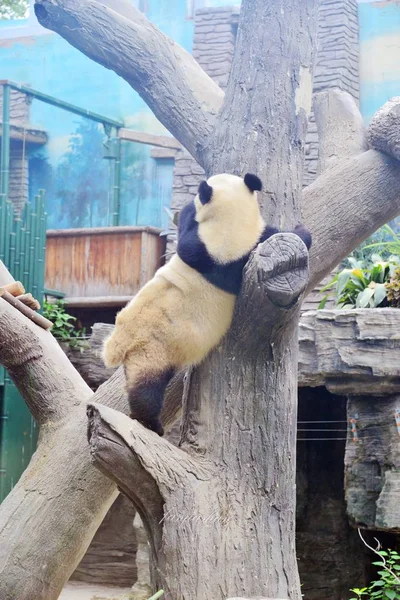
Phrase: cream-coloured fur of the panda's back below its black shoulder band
(182, 310)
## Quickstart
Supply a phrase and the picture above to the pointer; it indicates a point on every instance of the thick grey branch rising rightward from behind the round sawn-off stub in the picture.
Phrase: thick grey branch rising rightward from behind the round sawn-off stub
(346, 204)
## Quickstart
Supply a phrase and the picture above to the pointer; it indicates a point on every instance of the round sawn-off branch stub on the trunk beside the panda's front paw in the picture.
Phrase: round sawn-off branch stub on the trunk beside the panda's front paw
(275, 279)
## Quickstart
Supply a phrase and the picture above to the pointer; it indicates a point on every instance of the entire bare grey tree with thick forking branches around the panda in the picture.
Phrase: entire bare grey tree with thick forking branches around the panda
(235, 468)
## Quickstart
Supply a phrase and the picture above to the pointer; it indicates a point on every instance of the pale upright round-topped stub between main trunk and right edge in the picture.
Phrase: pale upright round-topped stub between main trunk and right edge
(341, 131)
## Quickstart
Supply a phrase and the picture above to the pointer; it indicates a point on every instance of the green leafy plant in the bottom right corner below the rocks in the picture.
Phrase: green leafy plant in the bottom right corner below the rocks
(387, 584)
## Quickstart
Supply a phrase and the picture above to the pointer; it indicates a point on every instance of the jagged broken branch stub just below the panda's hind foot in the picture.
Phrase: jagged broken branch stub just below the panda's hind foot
(152, 455)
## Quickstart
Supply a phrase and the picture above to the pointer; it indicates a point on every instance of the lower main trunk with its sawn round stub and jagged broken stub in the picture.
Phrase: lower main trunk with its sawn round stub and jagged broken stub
(204, 490)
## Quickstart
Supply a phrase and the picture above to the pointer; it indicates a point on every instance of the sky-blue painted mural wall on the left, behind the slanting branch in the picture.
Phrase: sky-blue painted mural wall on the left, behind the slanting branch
(71, 167)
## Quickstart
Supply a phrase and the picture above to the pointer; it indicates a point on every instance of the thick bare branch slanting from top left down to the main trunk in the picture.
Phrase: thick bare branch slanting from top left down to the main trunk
(118, 36)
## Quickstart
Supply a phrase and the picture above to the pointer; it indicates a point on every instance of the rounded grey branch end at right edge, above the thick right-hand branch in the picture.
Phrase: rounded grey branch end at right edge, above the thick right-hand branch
(384, 130)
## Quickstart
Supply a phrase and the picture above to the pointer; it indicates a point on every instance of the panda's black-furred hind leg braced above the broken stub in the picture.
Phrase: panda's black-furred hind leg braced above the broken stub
(146, 399)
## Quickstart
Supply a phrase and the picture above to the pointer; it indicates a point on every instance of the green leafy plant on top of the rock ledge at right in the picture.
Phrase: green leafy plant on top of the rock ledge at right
(363, 285)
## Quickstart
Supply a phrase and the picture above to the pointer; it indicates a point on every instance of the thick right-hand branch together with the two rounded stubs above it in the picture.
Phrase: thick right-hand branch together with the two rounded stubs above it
(360, 193)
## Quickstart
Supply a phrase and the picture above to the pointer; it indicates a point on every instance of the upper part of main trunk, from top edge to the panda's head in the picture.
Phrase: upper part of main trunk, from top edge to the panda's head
(264, 117)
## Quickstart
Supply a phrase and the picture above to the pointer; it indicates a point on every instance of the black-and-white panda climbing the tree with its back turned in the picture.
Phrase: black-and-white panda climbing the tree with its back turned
(181, 314)
